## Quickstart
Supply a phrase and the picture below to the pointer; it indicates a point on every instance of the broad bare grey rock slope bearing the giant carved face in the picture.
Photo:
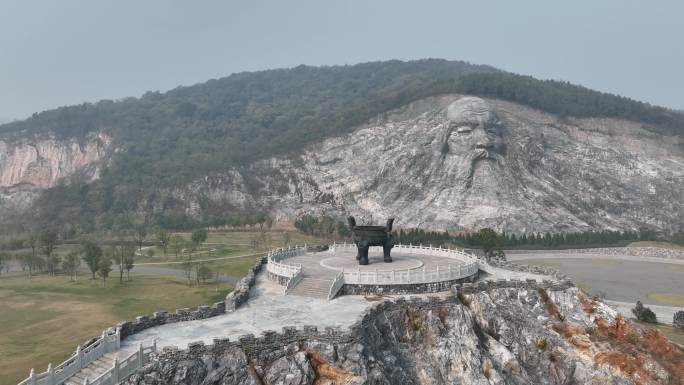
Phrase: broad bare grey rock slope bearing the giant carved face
(463, 162)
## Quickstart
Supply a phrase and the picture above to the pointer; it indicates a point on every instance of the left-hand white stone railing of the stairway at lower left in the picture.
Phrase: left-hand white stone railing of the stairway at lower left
(108, 342)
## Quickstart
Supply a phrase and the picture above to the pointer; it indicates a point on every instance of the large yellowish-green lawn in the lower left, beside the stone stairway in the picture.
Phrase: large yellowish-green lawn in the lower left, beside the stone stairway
(43, 319)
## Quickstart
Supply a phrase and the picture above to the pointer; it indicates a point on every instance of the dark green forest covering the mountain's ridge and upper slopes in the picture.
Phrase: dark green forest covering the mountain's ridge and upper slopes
(168, 139)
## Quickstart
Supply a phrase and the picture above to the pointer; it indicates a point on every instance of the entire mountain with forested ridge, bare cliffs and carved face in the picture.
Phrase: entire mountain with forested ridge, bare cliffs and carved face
(375, 139)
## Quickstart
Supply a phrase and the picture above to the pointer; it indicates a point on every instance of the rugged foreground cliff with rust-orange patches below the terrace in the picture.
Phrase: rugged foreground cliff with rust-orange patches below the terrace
(498, 336)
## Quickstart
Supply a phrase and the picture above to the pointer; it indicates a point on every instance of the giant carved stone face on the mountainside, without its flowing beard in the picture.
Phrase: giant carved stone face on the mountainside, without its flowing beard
(473, 131)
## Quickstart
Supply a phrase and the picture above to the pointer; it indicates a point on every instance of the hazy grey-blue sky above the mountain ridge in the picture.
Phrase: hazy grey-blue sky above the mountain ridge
(55, 53)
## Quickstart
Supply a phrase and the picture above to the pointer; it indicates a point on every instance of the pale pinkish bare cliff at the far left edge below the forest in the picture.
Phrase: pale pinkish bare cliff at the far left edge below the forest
(30, 164)
